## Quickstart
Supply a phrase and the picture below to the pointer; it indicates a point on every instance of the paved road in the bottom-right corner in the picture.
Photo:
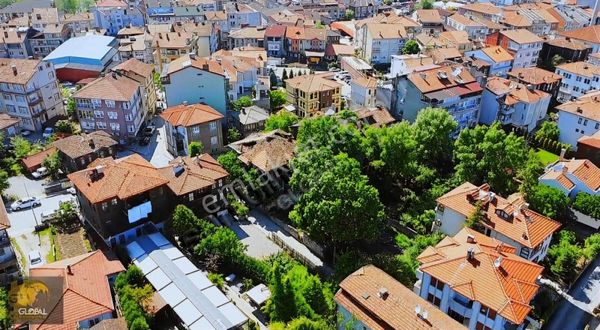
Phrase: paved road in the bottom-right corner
(575, 312)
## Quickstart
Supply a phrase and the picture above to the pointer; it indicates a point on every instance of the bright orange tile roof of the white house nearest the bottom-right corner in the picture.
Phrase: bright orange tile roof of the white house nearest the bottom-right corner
(507, 289)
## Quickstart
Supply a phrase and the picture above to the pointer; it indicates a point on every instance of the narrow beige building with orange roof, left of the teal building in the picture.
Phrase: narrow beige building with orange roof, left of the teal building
(144, 74)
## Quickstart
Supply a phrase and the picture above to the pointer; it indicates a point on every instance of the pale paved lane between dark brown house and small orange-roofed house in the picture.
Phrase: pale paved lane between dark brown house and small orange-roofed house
(156, 151)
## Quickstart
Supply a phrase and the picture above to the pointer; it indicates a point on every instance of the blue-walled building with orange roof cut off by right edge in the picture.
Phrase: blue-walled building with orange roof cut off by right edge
(579, 118)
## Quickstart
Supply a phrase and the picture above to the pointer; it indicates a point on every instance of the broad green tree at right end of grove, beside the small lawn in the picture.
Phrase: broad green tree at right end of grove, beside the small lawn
(488, 154)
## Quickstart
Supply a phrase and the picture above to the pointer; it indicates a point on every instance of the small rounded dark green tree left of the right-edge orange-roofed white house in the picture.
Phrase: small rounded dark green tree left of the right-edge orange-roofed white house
(549, 201)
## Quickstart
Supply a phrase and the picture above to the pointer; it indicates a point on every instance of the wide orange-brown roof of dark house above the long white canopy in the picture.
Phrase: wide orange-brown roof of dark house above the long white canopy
(121, 178)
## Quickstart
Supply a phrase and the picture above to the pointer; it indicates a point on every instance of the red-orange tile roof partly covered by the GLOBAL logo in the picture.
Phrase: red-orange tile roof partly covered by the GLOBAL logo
(86, 290)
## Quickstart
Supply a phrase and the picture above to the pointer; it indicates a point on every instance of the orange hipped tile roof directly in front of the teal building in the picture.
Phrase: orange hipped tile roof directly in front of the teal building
(190, 114)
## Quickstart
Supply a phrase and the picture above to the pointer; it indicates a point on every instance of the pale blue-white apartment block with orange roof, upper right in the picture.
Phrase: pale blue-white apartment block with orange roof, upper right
(522, 44)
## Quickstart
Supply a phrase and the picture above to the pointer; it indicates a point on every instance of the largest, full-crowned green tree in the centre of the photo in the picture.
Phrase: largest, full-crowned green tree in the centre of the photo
(340, 207)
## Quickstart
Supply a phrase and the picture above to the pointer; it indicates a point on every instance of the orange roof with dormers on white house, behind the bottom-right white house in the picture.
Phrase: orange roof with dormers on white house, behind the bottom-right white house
(527, 227)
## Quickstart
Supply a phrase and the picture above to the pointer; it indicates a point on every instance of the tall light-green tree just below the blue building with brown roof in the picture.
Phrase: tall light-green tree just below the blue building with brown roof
(433, 130)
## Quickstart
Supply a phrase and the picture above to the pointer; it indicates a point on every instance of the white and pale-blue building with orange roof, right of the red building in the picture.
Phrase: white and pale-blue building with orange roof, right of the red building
(381, 41)
